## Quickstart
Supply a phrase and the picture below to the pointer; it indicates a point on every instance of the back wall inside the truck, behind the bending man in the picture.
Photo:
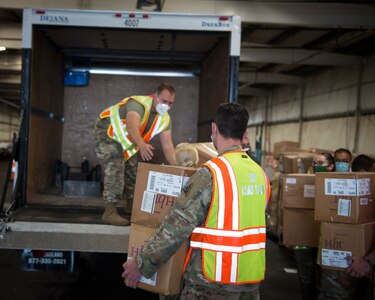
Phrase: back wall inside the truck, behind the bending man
(84, 104)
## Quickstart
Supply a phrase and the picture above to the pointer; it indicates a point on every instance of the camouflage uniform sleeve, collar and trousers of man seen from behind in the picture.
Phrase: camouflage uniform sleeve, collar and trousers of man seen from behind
(190, 210)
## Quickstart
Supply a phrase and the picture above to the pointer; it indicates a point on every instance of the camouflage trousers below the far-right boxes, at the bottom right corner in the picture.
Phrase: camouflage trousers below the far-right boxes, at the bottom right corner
(338, 285)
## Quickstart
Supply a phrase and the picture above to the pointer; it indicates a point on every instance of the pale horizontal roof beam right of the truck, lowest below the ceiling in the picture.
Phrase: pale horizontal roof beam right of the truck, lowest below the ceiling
(298, 57)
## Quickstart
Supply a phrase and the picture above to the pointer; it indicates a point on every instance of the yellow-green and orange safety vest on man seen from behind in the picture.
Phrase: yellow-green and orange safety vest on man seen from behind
(233, 238)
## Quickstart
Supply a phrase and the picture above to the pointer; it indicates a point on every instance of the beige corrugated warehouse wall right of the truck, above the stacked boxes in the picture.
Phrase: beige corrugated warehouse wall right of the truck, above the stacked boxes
(322, 113)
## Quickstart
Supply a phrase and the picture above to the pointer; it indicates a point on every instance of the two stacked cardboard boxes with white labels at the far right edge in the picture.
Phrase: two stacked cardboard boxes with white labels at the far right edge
(345, 205)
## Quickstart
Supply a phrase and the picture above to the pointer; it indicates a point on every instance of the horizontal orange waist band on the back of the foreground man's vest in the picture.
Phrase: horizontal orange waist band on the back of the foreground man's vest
(229, 240)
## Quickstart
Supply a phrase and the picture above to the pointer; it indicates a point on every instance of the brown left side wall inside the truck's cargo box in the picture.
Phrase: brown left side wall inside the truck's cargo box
(45, 136)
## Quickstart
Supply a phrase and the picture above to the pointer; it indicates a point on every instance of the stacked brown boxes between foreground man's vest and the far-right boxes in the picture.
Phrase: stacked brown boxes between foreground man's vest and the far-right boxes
(300, 227)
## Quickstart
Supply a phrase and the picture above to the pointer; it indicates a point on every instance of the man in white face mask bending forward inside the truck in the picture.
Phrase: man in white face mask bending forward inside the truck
(122, 131)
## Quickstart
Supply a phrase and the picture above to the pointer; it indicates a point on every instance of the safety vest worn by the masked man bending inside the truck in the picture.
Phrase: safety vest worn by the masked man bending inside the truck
(117, 129)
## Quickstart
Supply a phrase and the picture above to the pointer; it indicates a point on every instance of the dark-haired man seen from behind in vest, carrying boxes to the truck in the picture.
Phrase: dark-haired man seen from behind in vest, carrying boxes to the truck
(226, 197)
